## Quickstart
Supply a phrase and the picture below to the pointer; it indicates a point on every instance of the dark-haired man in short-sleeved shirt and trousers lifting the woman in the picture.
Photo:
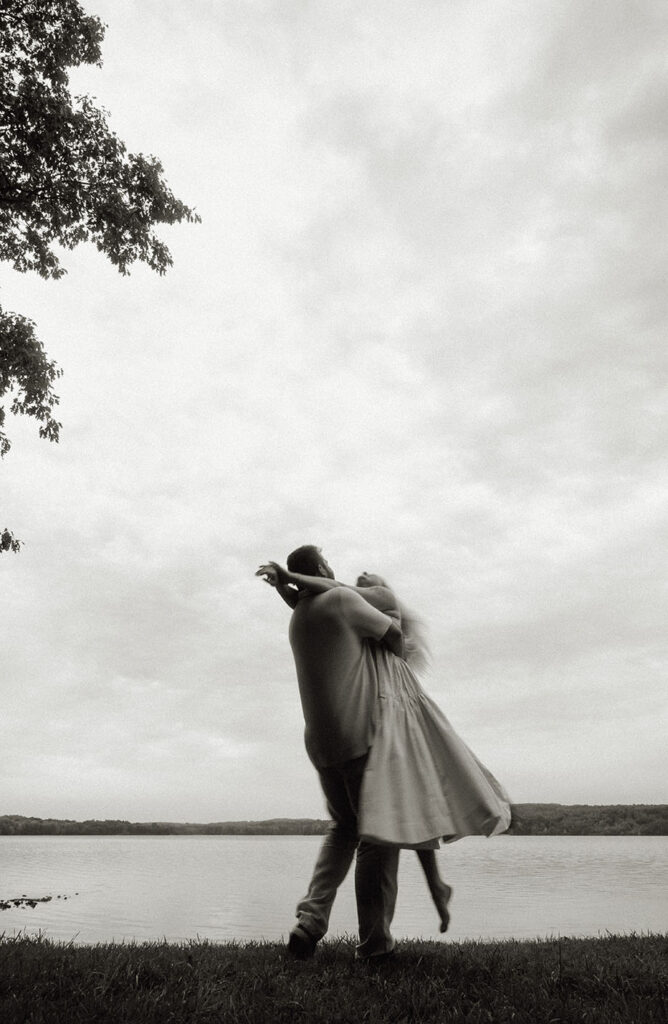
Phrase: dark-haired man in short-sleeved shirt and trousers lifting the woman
(339, 691)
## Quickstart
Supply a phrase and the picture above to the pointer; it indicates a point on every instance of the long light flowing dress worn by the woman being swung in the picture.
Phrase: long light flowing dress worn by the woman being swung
(423, 783)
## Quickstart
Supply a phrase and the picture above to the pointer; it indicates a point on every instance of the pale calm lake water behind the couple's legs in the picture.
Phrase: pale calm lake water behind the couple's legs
(119, 888)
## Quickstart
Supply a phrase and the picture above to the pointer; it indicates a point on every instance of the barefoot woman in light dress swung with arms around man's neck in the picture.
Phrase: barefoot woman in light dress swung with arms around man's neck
(422, 783)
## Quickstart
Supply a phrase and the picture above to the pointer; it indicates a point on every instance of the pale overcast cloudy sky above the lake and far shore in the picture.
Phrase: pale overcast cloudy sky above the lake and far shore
(423, 326)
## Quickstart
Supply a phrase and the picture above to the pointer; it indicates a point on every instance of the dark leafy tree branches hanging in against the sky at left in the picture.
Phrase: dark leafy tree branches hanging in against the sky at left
(65, 179)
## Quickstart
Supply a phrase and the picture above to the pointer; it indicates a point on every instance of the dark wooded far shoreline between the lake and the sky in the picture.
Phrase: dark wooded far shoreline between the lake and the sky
(528, 820)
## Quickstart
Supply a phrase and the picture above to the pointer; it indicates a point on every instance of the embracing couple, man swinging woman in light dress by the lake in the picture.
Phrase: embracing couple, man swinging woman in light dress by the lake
(395, 774)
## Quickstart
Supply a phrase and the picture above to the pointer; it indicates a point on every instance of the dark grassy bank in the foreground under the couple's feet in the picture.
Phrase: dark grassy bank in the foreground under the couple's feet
(615, 979)
